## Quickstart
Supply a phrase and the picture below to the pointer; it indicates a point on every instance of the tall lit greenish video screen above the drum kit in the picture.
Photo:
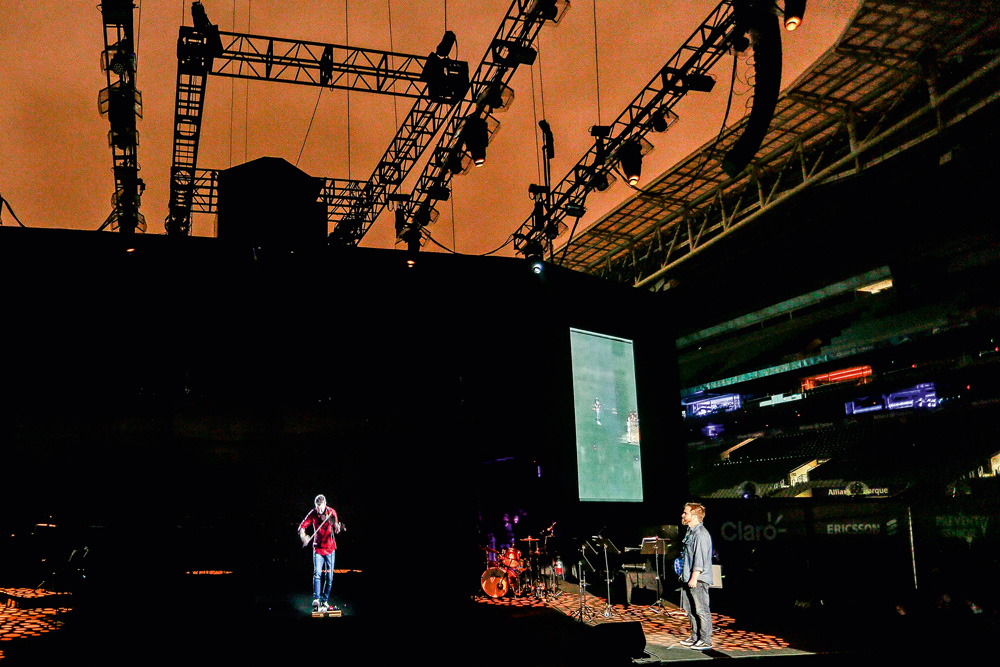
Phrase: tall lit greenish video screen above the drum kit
(608, 462)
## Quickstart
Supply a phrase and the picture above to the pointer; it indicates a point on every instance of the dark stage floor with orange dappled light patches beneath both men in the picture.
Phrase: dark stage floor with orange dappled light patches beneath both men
(193, 620)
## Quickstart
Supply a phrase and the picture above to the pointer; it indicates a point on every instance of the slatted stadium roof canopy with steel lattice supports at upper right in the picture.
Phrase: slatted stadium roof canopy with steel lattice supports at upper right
(875, 93)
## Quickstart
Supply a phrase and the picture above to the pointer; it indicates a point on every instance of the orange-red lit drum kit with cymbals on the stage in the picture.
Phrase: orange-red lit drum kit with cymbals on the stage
(508, 571)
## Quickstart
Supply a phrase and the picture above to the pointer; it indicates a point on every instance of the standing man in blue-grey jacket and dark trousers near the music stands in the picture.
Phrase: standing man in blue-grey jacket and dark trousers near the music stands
(696, 577)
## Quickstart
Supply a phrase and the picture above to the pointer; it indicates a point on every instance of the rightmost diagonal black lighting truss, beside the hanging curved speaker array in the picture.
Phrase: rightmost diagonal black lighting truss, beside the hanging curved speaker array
(709, 42)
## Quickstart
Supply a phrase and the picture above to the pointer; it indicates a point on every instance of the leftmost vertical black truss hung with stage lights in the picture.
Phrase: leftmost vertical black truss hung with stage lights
(121, 102)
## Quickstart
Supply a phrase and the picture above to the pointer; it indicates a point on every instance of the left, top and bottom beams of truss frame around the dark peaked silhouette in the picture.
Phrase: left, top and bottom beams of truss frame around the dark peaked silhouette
(203, 50)
